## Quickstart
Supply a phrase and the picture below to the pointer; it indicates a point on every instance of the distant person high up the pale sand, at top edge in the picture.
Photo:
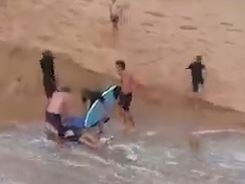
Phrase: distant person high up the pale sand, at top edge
(115, 13)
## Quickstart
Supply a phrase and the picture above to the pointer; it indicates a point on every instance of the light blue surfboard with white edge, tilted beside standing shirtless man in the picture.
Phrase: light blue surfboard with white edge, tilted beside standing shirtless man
(98, 111)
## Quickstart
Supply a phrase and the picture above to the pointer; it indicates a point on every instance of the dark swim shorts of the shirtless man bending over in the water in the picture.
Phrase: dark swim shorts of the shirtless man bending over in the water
(55, 121)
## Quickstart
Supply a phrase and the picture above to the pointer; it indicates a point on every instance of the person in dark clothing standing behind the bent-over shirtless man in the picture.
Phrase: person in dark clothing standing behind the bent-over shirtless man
(47, 66)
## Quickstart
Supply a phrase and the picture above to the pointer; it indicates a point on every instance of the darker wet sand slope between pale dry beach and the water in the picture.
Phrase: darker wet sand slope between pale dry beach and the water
(22, 97)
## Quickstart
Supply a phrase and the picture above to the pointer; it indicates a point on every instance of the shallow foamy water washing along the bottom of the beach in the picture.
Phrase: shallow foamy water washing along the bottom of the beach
(27, 157)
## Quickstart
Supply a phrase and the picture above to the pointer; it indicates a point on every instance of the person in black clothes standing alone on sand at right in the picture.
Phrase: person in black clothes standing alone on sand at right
(197, 69)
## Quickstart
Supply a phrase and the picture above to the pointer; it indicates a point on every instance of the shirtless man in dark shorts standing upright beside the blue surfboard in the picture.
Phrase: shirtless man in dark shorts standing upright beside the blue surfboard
(125, 97)
